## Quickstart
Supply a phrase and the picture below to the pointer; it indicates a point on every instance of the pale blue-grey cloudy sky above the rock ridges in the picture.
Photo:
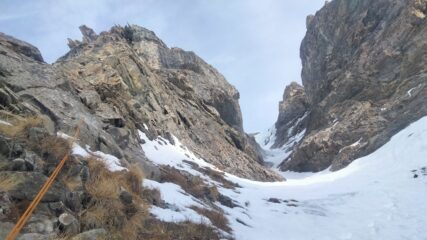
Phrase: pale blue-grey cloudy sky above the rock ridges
(253, 43)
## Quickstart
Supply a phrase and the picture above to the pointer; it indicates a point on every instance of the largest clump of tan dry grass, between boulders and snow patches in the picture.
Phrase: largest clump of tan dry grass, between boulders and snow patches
(106, 209)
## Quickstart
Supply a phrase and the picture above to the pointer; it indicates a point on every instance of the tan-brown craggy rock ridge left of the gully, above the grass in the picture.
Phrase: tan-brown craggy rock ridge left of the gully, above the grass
(125, 80)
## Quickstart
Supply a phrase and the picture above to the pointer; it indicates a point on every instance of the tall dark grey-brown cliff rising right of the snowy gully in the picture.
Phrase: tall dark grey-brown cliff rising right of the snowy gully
(365, 76)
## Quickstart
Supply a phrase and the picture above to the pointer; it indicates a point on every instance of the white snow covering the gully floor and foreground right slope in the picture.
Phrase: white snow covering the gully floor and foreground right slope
(380, 196)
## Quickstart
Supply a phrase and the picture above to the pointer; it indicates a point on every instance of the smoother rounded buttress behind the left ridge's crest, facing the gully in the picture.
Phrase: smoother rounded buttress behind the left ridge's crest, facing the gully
(202, 78)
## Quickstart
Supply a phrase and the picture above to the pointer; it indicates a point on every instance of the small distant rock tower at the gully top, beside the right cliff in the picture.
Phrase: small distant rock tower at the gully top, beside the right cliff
(293, 111)
